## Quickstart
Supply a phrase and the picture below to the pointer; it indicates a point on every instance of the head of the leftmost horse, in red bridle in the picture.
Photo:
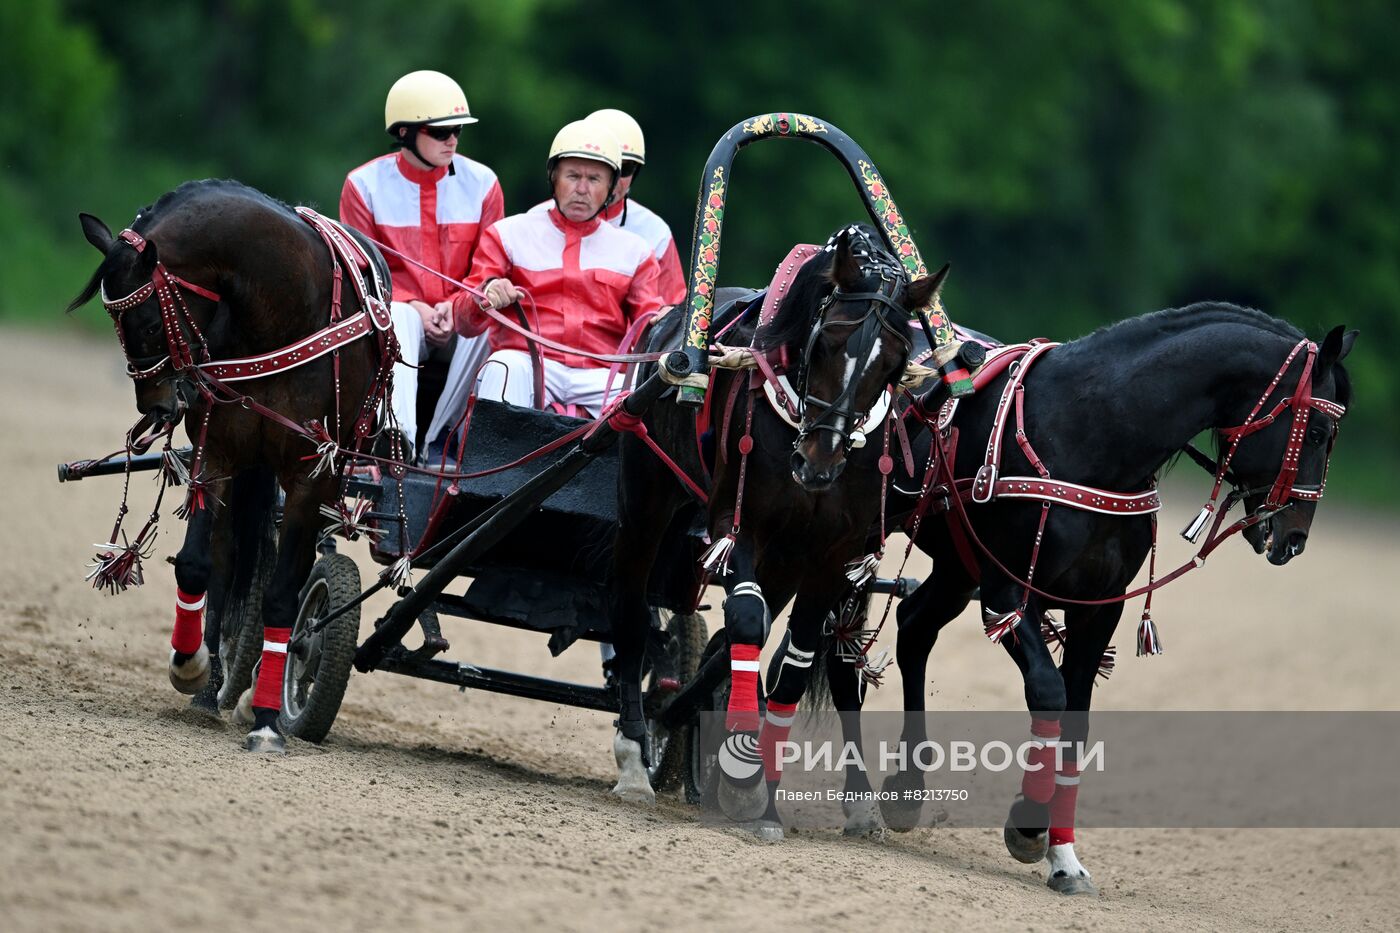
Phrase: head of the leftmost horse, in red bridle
(160, 319)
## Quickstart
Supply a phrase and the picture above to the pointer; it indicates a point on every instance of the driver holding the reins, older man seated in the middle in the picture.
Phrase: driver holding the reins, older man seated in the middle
(590, 281)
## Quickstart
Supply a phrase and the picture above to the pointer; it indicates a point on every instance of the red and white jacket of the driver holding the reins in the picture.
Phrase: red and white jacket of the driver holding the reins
(590, 282)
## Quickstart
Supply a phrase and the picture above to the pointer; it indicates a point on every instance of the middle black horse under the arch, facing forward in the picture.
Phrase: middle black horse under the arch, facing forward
(793, 499)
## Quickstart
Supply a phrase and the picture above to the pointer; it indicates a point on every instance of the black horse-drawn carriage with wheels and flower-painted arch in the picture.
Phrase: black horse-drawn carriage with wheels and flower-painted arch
(514, 513)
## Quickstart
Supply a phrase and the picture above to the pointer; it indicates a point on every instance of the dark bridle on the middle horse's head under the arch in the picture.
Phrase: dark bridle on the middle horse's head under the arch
(838, 415)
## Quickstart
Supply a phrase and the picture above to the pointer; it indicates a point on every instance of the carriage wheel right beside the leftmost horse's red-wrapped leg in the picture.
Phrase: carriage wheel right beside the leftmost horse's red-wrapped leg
(318, 668)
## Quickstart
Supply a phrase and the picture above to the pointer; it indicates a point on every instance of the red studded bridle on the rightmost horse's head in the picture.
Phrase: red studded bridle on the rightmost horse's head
(1284, 490)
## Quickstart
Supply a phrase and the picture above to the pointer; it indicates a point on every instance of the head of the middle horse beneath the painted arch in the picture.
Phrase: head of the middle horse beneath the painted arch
(852, 306)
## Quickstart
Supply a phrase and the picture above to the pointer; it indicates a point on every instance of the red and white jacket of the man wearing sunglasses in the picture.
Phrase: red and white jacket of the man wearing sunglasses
(429, 215)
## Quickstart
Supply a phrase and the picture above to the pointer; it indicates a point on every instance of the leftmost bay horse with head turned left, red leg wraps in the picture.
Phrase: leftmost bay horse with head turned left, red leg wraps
(255, 324)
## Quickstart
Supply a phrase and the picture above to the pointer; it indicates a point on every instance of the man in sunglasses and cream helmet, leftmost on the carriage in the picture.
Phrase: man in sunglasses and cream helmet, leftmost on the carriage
(430, 204)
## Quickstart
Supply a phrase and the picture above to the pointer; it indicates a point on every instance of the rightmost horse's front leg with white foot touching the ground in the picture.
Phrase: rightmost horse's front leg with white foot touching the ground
(1088, 631)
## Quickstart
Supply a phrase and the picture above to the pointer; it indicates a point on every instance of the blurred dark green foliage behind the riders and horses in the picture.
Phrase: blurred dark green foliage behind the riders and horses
(1079, 162)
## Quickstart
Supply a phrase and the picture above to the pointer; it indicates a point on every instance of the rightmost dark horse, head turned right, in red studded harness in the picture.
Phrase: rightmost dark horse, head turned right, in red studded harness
(1105, 413)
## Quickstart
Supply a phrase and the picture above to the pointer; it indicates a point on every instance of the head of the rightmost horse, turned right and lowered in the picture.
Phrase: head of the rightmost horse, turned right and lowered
(1283, 467)
